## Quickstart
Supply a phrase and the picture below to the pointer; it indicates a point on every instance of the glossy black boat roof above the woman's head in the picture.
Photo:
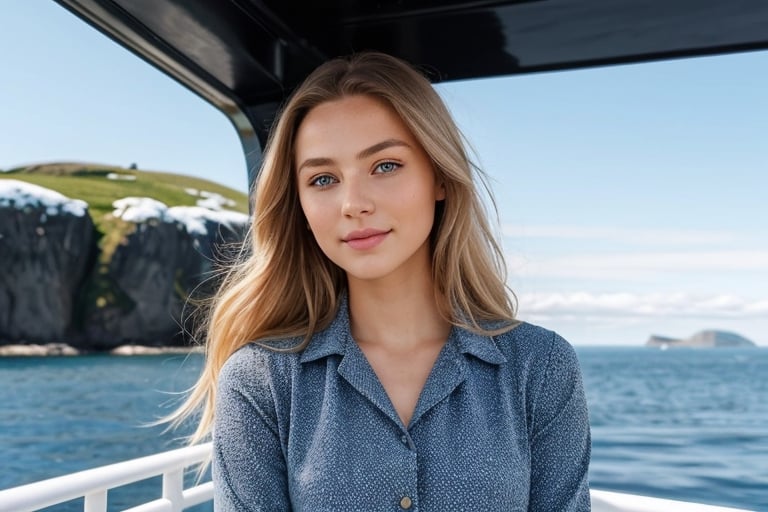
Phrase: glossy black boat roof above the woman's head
(245, 56)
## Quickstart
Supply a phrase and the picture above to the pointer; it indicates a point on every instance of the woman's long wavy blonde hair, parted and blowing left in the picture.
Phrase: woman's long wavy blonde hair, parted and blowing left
(284, 286)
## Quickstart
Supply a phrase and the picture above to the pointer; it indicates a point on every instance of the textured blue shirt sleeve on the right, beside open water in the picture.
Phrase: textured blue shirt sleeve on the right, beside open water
(560, 436)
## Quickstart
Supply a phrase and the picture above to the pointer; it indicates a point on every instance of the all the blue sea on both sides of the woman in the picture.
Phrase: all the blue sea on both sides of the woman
(684, 424)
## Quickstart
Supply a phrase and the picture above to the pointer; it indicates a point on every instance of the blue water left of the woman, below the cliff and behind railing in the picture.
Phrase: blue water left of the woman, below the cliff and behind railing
(60, 415)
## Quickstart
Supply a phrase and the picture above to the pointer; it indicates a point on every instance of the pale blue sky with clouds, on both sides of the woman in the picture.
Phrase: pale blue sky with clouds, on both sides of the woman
(631, 198)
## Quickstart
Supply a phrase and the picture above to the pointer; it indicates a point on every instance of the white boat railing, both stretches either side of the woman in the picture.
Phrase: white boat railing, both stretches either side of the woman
(94, 484)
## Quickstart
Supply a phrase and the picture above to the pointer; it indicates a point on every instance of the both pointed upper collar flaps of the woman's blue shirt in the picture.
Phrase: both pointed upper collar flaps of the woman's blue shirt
(334, 339)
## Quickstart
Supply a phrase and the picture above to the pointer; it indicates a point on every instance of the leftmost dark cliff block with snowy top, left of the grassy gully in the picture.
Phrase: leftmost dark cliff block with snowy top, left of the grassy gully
(47, 247)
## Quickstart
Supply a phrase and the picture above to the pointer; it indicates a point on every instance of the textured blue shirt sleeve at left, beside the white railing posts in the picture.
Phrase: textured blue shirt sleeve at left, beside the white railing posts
(249, 470)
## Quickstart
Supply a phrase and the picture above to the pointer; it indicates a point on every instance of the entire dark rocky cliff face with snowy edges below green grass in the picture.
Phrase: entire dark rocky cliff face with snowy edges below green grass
(126, 281)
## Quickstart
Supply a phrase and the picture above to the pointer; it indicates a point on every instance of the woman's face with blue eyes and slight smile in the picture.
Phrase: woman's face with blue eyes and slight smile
(367, 188)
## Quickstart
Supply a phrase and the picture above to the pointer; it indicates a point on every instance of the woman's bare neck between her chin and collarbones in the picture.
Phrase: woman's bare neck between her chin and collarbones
(400, 315)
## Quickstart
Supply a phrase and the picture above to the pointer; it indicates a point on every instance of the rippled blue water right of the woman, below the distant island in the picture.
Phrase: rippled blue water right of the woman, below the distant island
(689, 424)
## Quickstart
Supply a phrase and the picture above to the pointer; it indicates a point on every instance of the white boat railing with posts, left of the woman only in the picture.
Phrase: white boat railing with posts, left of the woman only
(93, 484)
